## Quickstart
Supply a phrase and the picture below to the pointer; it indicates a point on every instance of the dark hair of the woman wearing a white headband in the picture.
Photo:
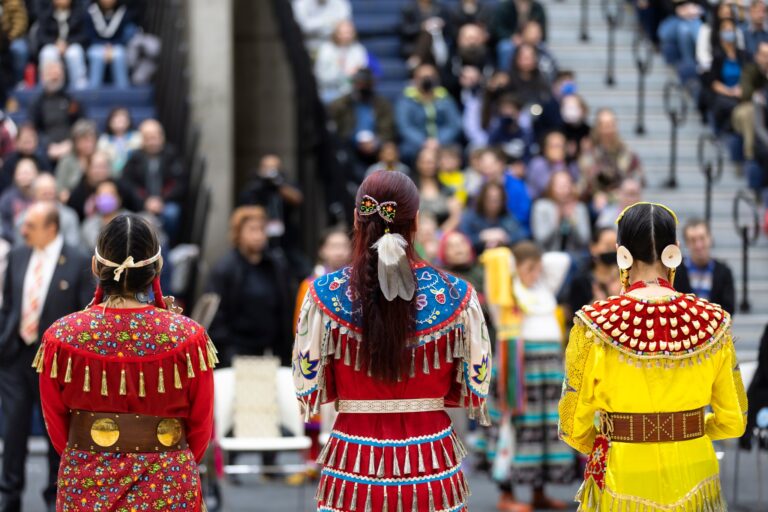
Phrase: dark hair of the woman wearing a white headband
(127, 236)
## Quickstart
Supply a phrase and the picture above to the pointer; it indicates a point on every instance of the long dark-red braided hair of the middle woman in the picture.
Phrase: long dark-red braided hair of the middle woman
(386, 324)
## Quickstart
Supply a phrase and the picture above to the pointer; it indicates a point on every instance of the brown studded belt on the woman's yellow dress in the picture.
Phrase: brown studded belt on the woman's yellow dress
(656, 427)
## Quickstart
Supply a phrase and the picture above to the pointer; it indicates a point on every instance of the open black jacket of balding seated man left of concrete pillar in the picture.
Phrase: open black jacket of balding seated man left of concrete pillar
(174, 177)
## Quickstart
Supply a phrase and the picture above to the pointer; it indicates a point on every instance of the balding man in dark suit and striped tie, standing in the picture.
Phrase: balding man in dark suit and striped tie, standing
(46, 280)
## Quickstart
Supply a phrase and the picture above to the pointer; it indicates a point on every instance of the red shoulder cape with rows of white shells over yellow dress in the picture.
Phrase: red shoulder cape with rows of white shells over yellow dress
(675, 328)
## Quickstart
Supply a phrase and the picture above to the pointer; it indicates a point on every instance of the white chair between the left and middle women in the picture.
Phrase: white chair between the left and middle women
(290, 420)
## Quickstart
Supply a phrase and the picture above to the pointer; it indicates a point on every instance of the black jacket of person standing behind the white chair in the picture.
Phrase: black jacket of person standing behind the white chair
(228, 327)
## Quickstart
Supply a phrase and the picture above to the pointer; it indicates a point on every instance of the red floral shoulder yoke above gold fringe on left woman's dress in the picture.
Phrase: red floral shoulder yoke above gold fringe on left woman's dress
(140, 332)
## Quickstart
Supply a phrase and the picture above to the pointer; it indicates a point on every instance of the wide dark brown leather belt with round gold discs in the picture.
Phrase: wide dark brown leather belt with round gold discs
(128, 433)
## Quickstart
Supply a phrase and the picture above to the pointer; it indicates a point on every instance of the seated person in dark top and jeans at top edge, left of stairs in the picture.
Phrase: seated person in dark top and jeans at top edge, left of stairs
(509, 20)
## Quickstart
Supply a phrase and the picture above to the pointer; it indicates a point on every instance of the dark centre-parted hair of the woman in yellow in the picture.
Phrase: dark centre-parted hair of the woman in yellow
(646, 229)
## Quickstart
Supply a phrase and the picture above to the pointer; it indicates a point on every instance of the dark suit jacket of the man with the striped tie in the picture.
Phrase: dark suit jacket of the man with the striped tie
(71, 289)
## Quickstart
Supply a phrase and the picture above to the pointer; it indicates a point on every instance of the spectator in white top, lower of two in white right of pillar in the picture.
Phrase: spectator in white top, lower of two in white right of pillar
(337, 62)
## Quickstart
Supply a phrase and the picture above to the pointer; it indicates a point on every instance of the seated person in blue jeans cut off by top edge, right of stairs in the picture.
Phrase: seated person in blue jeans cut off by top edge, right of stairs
(678, 33)
